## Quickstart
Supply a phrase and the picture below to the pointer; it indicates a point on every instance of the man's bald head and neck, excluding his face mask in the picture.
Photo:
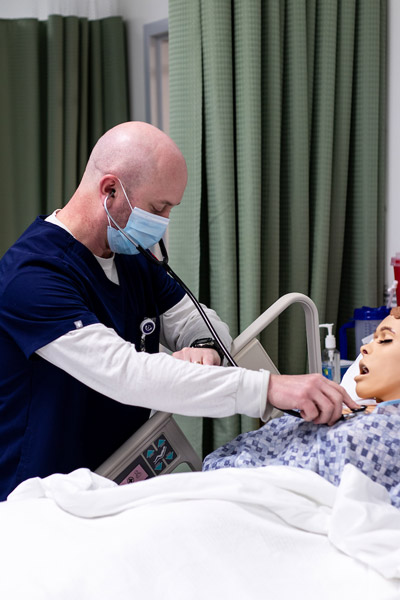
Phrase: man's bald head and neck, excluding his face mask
(132, 158)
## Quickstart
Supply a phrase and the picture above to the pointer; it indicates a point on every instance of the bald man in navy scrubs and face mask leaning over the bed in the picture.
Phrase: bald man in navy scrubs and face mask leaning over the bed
(82, 314)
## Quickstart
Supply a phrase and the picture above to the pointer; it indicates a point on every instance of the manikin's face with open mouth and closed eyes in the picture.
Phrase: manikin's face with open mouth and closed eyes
(380, 364)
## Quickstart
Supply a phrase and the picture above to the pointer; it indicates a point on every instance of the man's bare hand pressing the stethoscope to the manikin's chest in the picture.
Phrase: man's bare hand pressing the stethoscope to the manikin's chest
(317, 398)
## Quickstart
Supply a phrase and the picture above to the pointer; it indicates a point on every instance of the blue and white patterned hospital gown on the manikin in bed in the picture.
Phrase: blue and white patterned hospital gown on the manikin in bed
(369, 442)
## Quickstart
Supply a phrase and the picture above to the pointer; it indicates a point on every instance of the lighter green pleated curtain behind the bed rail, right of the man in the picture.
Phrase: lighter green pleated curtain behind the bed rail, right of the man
(279, 109)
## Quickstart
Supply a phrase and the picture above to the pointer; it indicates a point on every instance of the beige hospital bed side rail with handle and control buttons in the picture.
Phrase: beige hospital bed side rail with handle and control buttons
(160, 446)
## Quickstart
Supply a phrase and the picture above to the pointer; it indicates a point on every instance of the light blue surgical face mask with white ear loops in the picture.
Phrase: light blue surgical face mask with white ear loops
(143, 227)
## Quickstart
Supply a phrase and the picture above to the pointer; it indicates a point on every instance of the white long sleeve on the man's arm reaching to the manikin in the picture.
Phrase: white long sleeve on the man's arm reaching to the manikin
(99, 358)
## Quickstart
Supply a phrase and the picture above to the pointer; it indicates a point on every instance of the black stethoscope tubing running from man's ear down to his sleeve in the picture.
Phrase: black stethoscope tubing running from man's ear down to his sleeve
(164, 264)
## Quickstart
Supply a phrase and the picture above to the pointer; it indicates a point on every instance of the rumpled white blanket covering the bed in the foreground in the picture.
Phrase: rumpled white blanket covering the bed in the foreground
(274, 532)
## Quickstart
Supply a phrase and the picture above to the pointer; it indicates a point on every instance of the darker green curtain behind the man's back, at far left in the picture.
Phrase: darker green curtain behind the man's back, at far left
(63, 83)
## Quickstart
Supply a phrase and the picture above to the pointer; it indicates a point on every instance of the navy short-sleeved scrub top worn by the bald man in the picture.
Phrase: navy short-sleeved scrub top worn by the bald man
(51, 284)
